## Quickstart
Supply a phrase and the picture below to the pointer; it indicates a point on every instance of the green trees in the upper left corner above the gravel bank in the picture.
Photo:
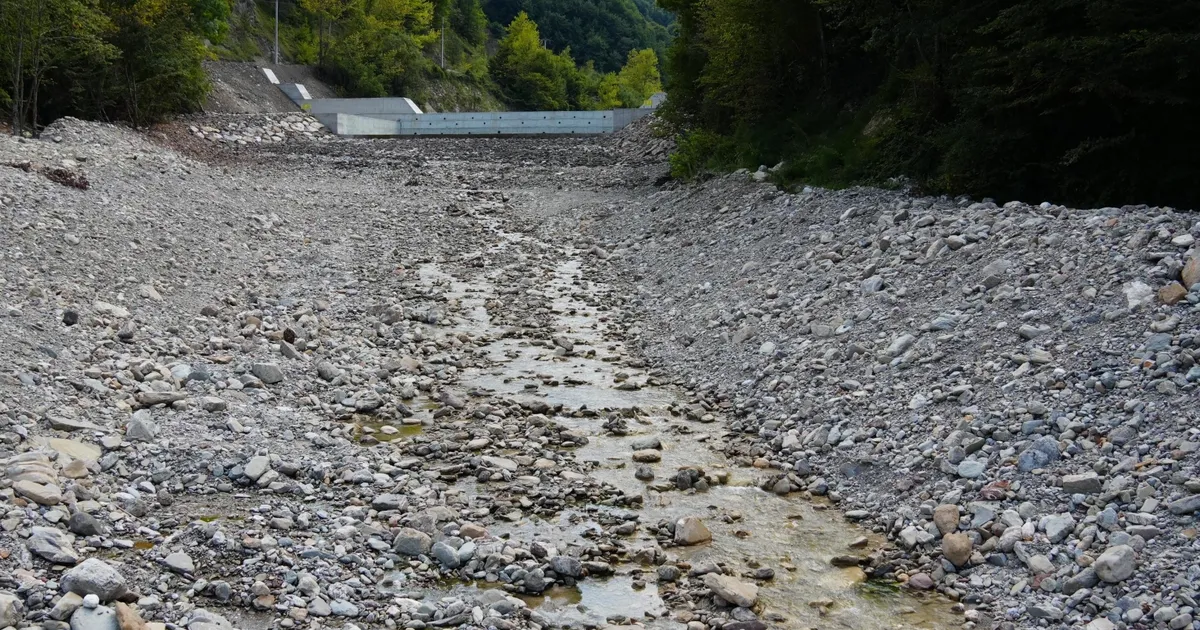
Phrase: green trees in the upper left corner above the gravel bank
(136, 61)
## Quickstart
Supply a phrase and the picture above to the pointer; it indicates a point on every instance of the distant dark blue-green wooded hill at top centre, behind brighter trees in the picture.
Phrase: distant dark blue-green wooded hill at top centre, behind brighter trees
(597, 31)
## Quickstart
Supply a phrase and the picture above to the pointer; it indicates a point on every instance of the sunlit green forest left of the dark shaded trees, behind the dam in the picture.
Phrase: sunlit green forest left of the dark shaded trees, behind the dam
(142, 61)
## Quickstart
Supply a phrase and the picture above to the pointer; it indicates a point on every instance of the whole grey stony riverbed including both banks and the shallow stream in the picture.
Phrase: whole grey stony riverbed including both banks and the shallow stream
(512, 383)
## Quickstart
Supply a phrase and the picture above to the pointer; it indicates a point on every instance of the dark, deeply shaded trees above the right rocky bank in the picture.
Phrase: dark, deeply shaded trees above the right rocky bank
(1085, 101)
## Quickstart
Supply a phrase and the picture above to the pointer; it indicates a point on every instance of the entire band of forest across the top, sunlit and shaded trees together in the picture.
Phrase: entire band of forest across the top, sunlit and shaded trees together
(1075, 101)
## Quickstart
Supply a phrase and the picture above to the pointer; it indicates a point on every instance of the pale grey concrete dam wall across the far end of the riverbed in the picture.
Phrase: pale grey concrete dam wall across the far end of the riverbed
(403, 118)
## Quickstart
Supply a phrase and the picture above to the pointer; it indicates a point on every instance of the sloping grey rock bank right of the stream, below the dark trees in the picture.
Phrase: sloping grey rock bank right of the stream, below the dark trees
(1009, 392)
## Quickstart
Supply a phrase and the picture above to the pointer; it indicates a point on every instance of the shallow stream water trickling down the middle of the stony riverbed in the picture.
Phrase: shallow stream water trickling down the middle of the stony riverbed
(585, 367)
